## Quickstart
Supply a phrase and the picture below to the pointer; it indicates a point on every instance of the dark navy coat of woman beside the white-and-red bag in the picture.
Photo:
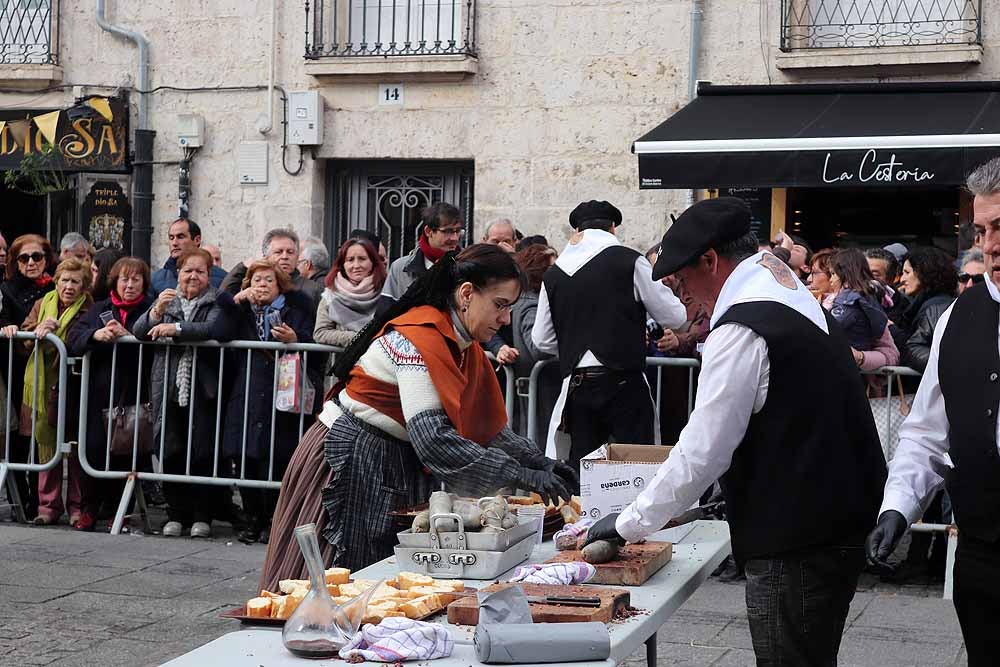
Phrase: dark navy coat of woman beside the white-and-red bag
(299, 314)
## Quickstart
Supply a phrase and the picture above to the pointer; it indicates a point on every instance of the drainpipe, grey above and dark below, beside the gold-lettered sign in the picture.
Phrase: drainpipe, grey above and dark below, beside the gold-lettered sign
(142, 185)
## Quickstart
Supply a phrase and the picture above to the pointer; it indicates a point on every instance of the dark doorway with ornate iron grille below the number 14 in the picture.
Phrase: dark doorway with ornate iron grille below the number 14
(386, 197)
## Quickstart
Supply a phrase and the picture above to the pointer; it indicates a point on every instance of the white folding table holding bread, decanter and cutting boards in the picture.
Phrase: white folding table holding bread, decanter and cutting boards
(696, 554)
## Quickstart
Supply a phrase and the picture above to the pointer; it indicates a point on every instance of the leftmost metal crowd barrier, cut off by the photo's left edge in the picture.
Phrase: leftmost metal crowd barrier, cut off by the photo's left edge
(31, 464)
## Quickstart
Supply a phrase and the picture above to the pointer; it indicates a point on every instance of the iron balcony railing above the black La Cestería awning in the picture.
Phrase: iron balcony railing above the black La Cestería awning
(816, 24)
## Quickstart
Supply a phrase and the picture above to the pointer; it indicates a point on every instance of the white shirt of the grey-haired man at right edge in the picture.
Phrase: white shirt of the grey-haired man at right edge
(921, 464)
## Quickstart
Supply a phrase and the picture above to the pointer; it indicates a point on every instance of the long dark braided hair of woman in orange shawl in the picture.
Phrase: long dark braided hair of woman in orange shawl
(482, 264)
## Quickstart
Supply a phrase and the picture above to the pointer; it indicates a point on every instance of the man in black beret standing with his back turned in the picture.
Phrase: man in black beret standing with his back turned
(592, 312)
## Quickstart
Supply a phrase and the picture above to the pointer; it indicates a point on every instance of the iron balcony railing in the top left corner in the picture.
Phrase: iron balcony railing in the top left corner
(29, 32)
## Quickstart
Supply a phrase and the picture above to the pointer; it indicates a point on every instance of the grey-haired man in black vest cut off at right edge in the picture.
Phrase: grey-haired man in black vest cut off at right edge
(950, 439)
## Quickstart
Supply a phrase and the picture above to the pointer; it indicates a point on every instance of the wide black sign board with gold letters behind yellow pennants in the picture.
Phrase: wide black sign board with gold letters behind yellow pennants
(82, 144)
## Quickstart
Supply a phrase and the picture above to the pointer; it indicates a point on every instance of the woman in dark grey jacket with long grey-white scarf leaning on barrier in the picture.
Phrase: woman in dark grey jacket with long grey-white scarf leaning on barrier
(192, 312)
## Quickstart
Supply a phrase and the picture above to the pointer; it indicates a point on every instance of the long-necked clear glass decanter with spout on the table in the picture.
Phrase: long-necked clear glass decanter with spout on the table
(319, 627)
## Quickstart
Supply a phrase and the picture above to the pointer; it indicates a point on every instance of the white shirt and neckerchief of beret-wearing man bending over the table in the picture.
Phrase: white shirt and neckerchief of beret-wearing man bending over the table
(732, 386)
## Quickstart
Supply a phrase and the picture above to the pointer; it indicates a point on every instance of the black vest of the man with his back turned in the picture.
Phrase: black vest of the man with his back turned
(595, 309)
